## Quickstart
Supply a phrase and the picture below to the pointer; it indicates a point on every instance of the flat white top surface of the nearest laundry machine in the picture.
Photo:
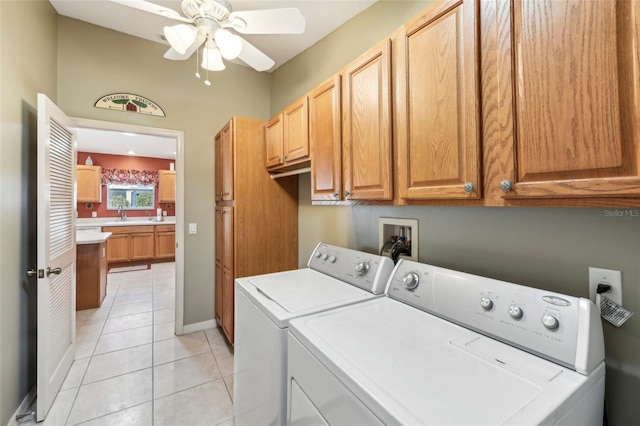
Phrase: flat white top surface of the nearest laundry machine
(411, 367)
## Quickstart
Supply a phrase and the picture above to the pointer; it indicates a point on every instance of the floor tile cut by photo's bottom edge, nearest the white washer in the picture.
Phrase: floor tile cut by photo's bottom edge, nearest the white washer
(207, 404)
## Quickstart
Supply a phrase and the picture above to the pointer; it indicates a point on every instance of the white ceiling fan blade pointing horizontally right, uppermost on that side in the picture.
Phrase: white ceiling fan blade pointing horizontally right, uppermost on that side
(268, 21)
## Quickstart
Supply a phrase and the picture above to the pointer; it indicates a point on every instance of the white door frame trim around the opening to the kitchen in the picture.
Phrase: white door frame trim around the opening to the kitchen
(179, 137)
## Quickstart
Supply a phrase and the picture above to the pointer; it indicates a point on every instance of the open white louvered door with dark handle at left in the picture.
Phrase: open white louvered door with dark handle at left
(56, 252)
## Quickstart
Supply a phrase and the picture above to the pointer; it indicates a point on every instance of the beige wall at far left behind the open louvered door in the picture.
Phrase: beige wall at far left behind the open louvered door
(27, 66)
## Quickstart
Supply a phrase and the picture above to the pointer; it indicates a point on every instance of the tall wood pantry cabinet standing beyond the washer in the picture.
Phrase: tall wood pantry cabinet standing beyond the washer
(256, 217)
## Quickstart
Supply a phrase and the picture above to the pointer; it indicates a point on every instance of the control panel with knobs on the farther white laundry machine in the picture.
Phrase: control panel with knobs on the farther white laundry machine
(367, 271)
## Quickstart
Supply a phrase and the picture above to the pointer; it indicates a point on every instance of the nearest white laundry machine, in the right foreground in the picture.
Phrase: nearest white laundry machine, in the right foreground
(449, 348)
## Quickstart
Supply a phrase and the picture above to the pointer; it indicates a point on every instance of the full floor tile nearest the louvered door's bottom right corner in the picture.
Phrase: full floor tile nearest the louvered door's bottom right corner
(117, 363)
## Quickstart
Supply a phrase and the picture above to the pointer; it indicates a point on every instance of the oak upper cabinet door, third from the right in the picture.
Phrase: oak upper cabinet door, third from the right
(367, 151)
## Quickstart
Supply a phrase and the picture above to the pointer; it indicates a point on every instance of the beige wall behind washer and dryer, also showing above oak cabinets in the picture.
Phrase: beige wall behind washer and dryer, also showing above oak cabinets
(546, 248)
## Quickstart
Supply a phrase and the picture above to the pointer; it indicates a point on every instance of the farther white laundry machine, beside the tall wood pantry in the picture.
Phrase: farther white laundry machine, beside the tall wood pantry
(264, 305)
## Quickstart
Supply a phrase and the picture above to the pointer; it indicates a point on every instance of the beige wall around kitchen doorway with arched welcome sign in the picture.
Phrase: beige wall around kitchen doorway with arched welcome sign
(93, 62)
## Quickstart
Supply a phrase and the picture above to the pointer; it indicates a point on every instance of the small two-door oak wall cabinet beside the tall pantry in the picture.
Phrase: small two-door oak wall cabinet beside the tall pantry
(287, 136)
